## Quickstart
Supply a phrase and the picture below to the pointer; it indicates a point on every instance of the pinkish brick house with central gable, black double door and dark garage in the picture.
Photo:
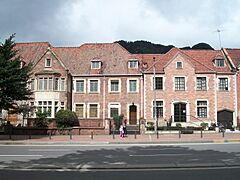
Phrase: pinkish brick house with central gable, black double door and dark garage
(192, 86)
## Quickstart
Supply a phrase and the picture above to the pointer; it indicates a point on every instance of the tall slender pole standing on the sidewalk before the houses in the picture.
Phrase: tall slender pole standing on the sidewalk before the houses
(154, 92)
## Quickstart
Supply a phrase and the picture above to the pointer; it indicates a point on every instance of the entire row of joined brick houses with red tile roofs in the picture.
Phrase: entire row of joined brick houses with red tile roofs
(99, 81)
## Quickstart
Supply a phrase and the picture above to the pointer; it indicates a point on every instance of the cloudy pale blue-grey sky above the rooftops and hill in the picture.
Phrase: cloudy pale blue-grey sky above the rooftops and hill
(169, 22)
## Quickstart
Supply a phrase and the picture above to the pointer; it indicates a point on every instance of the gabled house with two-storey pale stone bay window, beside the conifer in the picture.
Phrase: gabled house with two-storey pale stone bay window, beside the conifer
(50, 80)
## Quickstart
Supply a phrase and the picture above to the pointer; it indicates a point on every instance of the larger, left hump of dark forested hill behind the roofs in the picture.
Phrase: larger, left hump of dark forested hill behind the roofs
(144, 47)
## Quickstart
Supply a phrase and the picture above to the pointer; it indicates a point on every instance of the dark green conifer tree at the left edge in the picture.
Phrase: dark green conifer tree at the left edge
(13, 76)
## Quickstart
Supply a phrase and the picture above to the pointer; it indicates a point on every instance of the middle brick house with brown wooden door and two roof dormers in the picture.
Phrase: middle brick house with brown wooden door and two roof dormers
(106, 81)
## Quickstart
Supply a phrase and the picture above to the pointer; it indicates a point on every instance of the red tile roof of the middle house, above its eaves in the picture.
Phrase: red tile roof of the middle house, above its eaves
(114, 58)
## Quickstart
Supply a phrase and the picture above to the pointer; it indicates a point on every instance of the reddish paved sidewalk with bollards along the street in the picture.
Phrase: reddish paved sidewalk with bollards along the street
(130, 139)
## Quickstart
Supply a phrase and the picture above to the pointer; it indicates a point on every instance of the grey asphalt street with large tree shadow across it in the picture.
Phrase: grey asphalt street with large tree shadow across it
(129, 161)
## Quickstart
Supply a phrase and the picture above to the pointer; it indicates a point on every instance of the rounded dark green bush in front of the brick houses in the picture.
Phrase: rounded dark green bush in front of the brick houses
(65, 118)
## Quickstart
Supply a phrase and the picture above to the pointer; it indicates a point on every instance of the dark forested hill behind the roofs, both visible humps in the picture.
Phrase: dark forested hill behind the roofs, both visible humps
(145, 47)
